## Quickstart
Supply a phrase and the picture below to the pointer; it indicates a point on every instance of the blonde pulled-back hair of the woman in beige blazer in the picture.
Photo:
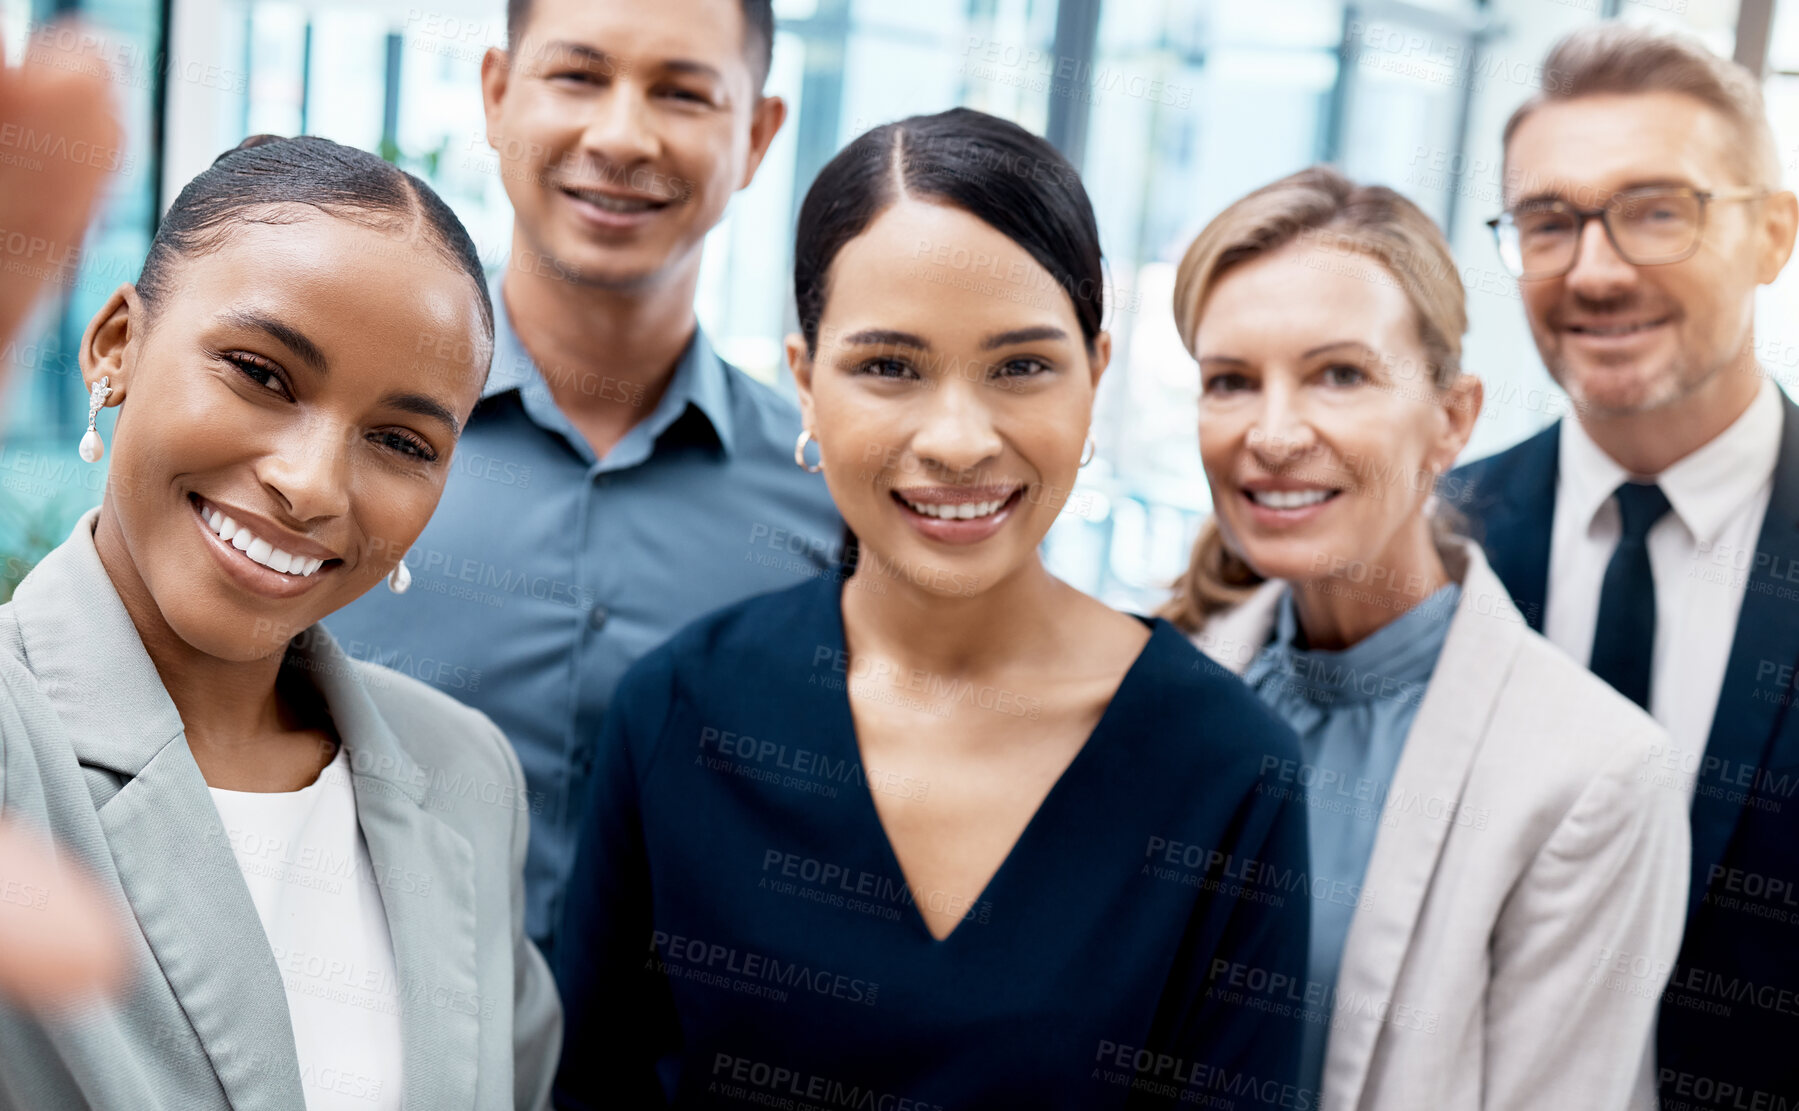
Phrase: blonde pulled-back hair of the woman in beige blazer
(1321, 208)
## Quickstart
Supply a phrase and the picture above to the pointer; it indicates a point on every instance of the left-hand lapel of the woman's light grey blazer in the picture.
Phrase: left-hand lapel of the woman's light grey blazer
(166, 839)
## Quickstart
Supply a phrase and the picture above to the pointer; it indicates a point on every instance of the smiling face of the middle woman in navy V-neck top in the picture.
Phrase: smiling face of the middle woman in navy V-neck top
(951, 423)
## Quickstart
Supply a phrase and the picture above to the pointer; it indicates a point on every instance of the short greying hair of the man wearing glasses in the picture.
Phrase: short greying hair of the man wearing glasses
(1631, 60)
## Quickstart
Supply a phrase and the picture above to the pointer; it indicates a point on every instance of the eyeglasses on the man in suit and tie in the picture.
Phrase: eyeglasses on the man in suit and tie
(1649, 227)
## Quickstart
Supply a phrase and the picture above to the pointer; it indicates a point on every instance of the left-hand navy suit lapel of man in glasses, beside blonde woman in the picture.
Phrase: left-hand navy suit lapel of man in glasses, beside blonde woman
(1516, 508)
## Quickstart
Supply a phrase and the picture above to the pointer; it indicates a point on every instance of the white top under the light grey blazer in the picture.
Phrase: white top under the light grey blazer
(314, 885)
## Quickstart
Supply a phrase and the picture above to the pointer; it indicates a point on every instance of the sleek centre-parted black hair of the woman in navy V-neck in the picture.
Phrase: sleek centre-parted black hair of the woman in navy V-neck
(990, 168)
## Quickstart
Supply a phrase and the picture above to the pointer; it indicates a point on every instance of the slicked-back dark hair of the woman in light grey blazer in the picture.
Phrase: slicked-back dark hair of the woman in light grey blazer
(267, 172)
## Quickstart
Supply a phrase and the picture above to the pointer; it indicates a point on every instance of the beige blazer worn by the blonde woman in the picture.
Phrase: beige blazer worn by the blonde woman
(1526, 894)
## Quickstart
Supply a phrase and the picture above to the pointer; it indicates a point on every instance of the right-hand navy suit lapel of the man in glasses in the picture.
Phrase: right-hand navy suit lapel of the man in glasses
(1760, 677)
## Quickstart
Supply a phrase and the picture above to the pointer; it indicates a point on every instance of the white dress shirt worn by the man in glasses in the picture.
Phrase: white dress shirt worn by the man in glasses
(1701, 556)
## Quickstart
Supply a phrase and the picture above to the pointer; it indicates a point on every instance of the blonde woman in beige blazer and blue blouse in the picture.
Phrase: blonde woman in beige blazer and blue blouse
(1498, 880)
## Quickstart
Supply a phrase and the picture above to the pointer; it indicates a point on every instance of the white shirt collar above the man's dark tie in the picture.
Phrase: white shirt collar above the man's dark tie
(1706, 490)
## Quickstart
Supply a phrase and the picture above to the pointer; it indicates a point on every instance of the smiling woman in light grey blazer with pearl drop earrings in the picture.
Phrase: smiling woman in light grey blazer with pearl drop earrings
(319, 860)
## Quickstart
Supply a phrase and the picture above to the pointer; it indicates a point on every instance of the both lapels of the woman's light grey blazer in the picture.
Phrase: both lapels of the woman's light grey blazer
(181, 876)
